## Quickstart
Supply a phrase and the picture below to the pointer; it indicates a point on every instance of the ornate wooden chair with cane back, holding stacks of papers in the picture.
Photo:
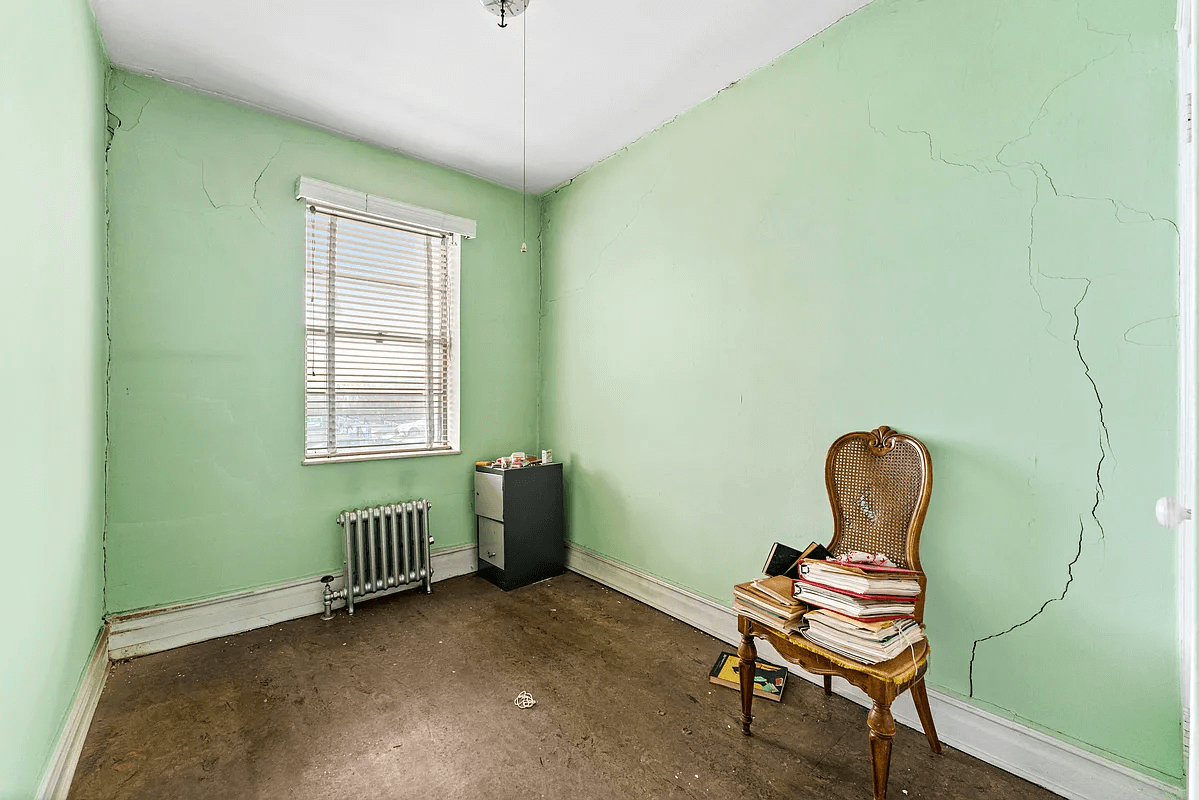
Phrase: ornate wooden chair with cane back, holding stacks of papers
(879, 484)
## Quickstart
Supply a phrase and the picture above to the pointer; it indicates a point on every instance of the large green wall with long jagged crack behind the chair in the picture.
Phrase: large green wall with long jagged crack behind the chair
(948, 218)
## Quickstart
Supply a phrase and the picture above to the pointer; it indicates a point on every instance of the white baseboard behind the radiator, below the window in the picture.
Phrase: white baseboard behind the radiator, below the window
(174, 627)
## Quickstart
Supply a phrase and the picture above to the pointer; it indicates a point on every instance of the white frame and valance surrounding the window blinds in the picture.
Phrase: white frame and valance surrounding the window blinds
(369, 208)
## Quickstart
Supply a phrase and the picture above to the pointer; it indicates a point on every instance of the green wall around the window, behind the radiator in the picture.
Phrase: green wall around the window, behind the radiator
(207, 494)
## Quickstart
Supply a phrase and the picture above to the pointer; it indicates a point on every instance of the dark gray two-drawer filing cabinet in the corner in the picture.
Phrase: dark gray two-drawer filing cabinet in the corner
(521, 516)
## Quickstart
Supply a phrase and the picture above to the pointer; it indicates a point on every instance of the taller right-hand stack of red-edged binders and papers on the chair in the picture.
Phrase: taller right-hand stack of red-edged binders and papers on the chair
(863, 612)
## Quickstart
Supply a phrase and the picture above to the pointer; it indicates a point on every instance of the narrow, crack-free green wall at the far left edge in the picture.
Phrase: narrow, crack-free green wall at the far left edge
(52, 328)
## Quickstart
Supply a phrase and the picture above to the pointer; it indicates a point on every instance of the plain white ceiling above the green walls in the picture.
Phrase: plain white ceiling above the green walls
(439, 81)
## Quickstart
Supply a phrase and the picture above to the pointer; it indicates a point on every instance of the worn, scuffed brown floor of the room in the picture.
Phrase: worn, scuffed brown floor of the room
(414, 695)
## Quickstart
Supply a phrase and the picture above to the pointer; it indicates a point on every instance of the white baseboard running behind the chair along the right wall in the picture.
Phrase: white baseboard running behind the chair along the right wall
(1055, 765)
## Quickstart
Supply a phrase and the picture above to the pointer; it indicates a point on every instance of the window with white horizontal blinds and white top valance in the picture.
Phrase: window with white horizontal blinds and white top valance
(382, 320)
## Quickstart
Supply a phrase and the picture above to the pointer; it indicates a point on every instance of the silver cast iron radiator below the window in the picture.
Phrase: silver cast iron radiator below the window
(385, 548)
